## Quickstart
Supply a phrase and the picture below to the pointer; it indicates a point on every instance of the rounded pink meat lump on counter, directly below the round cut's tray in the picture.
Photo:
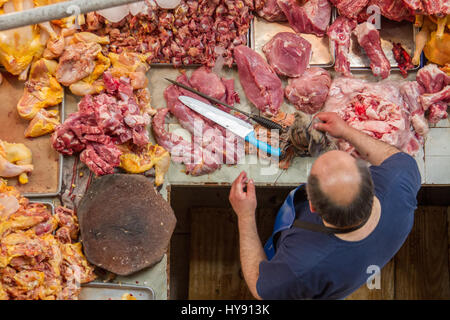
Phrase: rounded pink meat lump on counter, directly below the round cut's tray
(309, 92)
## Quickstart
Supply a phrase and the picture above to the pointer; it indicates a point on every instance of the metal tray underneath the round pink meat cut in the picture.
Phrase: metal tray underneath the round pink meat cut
(322, 55)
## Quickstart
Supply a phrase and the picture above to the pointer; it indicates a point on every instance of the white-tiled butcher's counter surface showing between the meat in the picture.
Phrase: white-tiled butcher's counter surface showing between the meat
(433, 162)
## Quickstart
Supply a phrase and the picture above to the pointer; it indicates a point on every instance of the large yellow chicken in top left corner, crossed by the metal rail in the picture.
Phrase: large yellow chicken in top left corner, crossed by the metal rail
(18, 47)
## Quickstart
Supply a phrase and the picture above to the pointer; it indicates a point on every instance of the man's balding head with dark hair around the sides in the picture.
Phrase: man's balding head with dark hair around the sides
(340, 189)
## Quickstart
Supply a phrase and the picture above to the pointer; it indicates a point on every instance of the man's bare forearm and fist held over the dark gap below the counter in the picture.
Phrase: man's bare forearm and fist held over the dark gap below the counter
(251, 250)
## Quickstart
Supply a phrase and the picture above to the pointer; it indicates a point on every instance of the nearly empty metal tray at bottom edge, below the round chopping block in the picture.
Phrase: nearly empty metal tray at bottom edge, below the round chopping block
(114, 291)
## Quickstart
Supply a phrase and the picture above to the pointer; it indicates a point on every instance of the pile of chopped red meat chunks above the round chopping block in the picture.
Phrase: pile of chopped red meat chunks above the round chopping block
(102, 122)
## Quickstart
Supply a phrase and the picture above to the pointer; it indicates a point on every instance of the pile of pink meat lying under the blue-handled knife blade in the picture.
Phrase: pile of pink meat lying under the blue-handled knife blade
(211, 145)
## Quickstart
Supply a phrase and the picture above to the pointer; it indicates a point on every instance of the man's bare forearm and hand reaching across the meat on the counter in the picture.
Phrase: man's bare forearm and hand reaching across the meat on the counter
(373, 150)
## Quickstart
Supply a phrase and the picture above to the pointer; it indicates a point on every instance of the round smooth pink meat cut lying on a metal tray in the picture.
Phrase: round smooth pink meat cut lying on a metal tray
(288, 54)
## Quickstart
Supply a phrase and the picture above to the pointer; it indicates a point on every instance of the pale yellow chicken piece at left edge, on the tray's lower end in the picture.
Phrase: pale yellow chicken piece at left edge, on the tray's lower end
(15, 160)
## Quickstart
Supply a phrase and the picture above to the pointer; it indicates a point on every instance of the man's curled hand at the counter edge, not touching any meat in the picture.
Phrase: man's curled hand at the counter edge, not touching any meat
(243, 202)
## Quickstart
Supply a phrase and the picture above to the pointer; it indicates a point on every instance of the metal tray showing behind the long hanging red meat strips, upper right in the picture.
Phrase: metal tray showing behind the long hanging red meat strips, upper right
(391, 31)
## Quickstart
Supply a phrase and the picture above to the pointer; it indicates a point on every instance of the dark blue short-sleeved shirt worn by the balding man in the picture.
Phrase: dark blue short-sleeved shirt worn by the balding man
(314, 265)
